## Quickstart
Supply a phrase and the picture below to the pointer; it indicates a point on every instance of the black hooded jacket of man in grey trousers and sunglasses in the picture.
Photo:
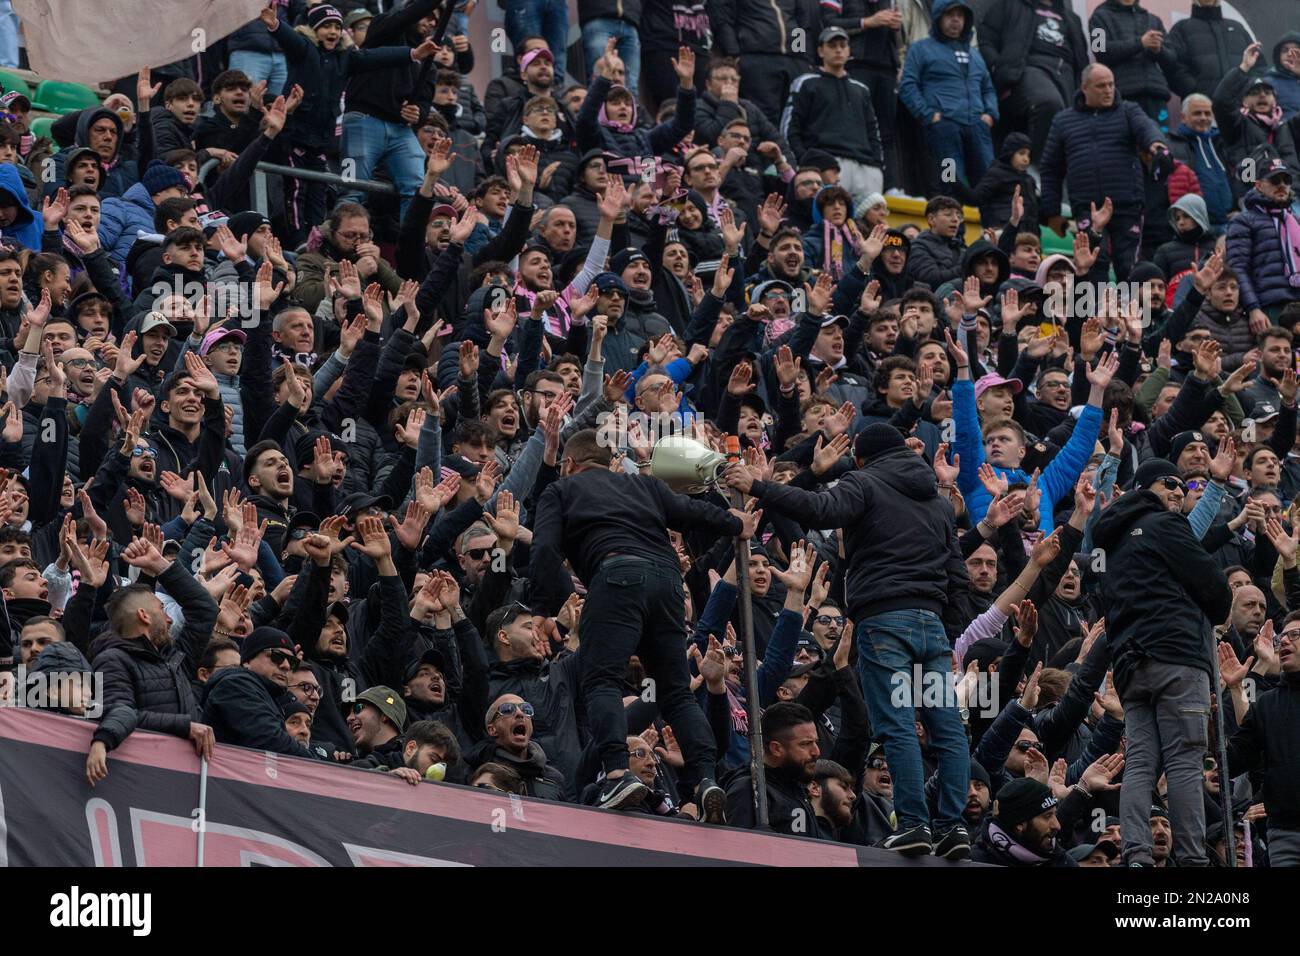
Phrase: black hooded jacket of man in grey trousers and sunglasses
(1160, 586)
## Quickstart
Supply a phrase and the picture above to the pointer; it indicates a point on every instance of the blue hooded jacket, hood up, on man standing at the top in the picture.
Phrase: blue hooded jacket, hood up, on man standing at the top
(948, 77)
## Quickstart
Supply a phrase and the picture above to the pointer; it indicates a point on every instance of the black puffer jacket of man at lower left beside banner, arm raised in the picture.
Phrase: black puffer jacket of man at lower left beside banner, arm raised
(157, 682)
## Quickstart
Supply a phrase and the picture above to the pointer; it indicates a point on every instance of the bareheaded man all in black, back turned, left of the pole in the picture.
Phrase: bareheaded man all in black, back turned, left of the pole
(614, 531)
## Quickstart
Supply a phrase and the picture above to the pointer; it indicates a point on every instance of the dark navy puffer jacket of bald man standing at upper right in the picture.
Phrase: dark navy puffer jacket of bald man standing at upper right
(1097, 150)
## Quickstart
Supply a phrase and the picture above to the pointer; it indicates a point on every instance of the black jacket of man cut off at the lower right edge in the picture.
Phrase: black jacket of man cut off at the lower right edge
(1269, 739)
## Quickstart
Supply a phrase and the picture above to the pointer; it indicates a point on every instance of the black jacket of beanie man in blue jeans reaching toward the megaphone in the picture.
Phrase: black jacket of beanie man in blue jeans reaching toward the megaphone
(899, 535)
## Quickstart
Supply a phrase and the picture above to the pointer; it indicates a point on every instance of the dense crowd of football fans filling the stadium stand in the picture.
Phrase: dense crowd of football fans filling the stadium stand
(366, 477)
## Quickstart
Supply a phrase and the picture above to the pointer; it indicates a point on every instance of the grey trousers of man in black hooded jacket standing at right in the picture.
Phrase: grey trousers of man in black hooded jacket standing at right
(1167, 723)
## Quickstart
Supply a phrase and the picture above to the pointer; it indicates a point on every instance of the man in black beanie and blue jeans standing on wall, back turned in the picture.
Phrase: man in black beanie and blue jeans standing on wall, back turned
(907, 589)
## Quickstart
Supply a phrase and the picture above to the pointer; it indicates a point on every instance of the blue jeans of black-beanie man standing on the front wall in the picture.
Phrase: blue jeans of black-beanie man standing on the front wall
(894, 650)
